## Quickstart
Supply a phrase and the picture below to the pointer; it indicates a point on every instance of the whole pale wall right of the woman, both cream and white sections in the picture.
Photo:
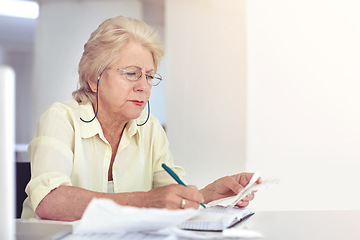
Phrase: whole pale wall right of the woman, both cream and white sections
(289, 105)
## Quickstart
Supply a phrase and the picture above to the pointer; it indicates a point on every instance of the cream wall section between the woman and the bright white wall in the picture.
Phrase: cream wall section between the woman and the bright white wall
(206, 93)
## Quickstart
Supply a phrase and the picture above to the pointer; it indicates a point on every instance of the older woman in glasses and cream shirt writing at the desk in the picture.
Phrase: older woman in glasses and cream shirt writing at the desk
(100, 145)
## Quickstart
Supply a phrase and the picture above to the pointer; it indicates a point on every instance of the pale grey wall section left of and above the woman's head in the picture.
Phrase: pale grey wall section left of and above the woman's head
(62, 30)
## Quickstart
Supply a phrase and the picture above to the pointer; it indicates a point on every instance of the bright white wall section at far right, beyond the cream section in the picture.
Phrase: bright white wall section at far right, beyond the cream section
(304, 103)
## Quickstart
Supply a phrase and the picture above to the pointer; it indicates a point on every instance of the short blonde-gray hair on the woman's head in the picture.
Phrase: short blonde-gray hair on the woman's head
(103, 46)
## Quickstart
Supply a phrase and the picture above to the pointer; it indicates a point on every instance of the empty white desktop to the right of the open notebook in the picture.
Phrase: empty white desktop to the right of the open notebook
(307, 225)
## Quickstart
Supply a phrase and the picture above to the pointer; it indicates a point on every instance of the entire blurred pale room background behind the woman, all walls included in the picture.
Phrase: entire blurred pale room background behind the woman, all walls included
(250, 85)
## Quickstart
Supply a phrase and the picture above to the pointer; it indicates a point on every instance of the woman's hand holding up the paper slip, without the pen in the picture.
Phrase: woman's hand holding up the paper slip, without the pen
(229, 186)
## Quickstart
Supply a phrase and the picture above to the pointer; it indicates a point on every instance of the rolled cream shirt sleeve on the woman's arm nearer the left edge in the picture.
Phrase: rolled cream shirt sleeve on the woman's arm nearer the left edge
(51, 159)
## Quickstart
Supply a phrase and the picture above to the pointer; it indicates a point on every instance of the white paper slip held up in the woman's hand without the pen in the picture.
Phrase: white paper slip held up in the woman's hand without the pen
(252, 186)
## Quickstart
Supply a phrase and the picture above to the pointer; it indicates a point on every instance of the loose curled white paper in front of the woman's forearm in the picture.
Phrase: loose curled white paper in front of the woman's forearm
(106, 216)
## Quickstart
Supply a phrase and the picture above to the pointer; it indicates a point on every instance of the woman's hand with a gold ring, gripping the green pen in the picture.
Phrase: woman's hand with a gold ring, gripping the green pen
(171, 197)
